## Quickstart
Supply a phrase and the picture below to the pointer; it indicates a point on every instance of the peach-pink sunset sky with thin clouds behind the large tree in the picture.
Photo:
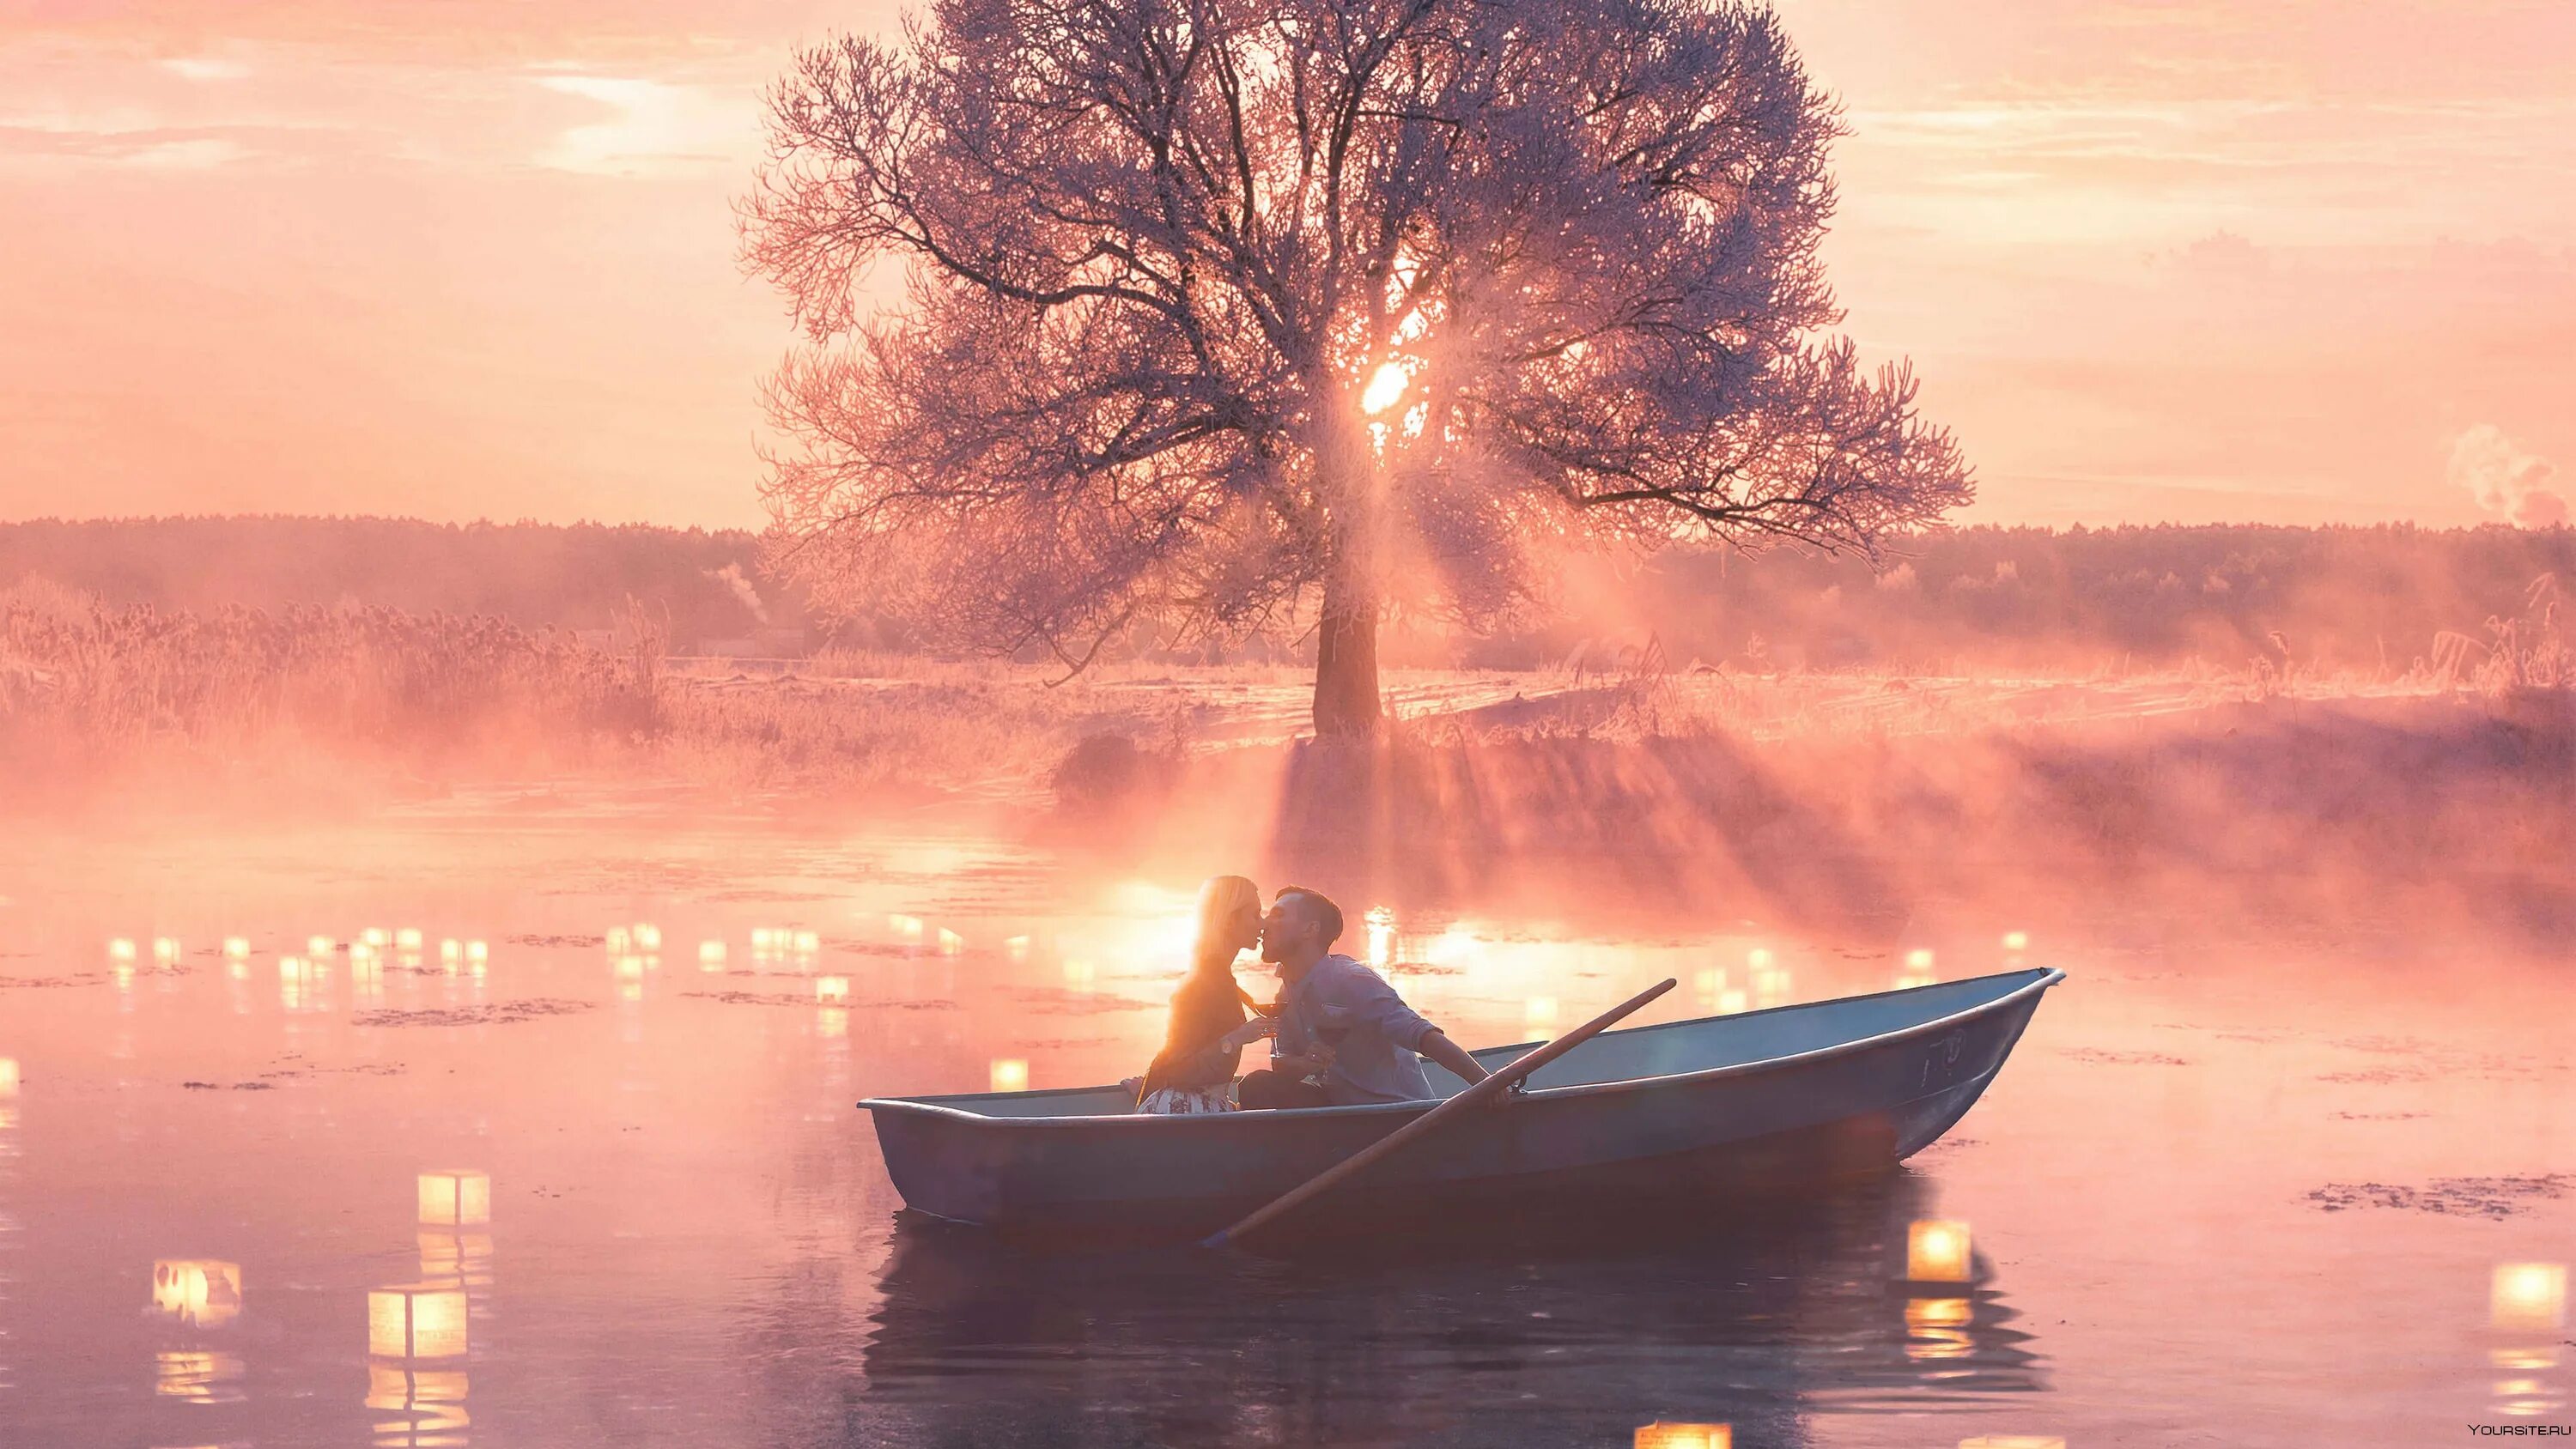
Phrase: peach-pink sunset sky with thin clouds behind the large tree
(2157, 261)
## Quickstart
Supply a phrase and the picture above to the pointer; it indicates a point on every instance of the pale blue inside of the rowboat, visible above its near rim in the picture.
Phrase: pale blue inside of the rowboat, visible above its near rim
(1663, 1049)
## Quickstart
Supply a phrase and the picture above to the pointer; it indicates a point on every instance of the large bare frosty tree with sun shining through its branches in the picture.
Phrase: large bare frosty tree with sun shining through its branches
(1243, 315)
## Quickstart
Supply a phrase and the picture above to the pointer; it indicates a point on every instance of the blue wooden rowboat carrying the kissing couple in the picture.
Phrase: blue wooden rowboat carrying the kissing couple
(1678, 1116)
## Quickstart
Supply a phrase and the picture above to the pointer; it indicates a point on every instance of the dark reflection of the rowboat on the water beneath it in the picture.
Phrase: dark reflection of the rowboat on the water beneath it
(1748, 1324)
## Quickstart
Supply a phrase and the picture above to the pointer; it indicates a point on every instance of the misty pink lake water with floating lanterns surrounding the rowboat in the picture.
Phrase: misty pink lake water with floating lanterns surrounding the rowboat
(2240, 1185)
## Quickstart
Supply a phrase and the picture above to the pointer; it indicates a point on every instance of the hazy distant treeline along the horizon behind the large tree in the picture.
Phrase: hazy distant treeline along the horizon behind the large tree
(1980, 598)
